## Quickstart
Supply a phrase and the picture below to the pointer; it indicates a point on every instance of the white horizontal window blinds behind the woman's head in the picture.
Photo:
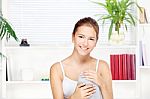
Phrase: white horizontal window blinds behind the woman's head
(52, 21)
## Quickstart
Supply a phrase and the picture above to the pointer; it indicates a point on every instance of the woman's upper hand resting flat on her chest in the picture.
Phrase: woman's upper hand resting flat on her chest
(93, 76)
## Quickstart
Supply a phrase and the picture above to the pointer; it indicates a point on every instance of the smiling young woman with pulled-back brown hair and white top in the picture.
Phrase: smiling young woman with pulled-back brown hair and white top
(64, 75)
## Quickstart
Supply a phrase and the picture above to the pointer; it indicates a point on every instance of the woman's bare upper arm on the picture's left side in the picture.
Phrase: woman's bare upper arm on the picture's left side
(56, 78)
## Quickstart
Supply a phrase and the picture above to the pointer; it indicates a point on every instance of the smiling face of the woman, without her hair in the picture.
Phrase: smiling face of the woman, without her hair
(84, 39)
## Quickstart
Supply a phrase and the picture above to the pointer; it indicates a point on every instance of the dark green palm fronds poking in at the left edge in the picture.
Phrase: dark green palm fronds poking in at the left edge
(6, 31)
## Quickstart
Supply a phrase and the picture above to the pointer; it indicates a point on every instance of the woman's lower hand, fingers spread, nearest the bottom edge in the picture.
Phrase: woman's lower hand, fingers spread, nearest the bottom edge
(83, 91)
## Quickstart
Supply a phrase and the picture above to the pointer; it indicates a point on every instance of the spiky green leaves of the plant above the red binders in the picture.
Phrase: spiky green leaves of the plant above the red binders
(118, 12)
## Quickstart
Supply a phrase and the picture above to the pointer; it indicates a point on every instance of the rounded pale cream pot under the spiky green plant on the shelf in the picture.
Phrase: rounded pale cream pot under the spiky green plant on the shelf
(117, 39)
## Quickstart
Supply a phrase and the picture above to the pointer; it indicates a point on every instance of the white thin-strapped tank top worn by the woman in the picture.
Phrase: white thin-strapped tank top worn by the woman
(69, 85)
